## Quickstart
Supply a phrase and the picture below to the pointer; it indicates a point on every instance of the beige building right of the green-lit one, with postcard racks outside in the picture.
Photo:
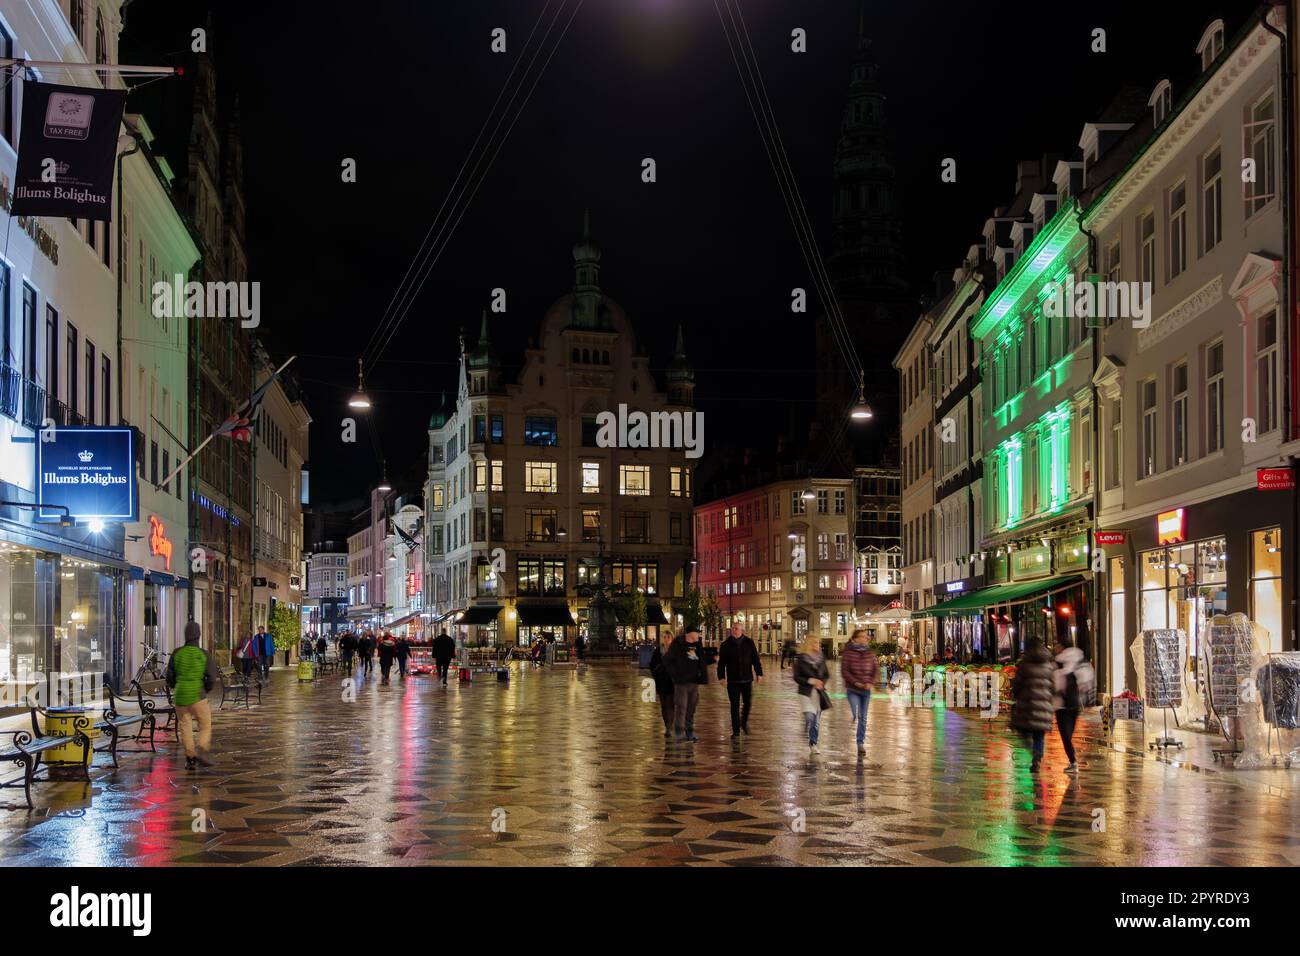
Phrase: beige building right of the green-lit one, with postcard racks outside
(1193, 395)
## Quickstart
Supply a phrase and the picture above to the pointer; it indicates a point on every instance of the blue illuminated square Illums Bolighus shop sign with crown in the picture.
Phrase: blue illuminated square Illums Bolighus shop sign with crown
(88, 470)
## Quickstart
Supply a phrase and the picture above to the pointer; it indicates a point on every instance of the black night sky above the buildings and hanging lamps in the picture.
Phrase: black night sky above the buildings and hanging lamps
(404, 88)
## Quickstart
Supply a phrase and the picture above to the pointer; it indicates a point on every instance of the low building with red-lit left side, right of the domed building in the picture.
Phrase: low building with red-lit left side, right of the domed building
(779, 560)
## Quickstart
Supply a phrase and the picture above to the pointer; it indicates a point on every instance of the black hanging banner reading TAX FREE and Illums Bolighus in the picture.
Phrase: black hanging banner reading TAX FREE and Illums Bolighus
(67, 152)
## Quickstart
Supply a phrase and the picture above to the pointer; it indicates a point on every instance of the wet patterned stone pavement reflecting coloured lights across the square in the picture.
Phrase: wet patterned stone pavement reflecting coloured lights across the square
(573, 768)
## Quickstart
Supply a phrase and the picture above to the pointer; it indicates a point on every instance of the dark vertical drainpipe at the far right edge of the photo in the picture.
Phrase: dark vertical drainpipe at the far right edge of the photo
(1290, 330)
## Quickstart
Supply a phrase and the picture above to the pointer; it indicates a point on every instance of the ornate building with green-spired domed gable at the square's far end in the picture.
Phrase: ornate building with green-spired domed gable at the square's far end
(528, 514)
